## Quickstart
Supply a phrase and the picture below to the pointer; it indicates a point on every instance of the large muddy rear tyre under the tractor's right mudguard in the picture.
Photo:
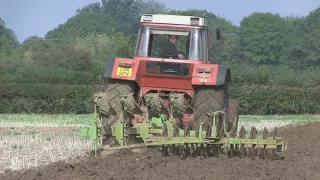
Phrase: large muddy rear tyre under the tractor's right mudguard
(207, 100)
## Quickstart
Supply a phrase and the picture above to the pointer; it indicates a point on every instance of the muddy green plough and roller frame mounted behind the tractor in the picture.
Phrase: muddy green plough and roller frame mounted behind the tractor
(151, 131)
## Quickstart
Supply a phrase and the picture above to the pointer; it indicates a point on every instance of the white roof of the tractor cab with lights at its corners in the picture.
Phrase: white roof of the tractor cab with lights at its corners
(173, 19)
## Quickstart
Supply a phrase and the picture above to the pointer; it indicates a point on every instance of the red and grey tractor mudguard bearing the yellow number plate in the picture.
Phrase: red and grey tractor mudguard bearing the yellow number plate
(121, 68)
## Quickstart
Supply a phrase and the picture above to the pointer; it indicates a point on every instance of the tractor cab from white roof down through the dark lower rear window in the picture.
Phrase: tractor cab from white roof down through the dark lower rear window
(192, 42)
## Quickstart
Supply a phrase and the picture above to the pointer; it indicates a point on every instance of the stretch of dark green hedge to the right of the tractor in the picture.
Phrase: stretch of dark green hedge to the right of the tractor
(265, 100)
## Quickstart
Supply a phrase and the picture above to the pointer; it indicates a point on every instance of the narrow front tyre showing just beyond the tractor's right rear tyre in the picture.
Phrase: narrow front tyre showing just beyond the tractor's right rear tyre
(233, 114)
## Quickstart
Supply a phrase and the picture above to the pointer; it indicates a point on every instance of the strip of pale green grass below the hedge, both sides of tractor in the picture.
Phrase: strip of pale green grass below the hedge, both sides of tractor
(76, 120)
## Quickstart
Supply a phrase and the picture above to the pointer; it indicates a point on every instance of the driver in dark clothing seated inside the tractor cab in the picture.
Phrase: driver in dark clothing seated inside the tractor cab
(169, 49)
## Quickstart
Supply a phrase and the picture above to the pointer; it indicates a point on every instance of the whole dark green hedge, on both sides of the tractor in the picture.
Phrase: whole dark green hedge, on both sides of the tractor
(254, 99)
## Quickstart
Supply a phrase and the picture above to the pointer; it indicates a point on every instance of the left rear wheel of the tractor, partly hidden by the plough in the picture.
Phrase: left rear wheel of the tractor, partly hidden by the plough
(114, 90)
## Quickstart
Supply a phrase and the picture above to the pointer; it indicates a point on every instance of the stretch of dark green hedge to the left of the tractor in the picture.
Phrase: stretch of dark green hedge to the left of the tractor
(45, 98)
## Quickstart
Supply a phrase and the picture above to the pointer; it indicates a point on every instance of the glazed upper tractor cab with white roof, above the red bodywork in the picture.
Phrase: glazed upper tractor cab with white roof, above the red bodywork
(155, 30)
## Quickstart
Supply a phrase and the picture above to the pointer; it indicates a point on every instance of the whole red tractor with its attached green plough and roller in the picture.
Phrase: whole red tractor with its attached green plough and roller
(163, 97)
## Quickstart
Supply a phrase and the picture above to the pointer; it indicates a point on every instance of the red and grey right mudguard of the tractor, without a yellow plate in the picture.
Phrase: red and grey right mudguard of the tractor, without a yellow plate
(210, 74)
